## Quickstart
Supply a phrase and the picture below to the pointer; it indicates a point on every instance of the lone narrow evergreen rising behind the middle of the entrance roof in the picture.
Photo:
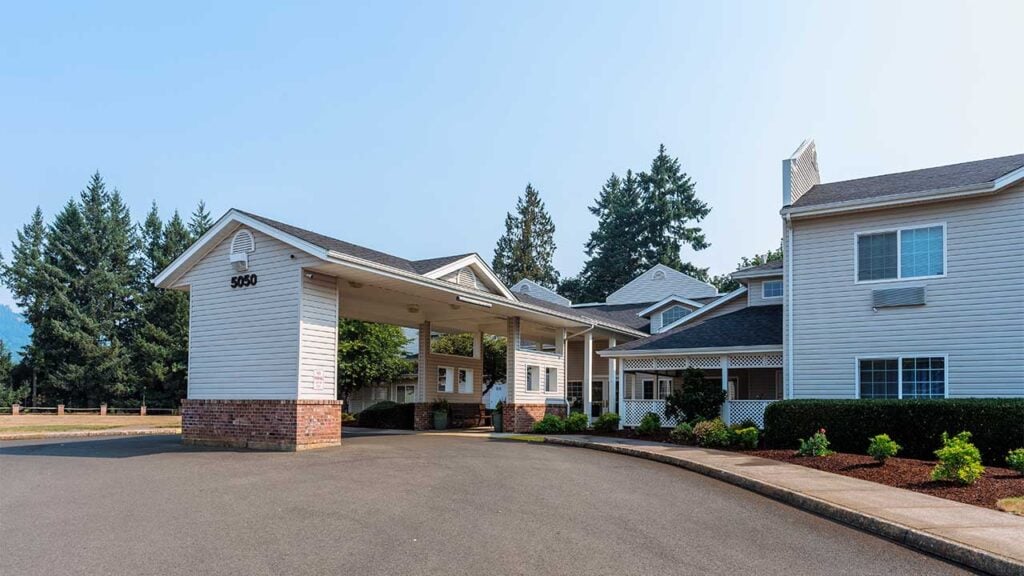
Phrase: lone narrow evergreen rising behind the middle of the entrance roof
(528, 248)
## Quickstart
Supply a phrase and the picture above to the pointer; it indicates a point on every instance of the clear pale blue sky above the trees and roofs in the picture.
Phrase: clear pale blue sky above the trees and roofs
(371, 120)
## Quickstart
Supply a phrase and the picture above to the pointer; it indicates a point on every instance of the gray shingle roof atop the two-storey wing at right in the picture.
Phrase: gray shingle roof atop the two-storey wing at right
(955, 176)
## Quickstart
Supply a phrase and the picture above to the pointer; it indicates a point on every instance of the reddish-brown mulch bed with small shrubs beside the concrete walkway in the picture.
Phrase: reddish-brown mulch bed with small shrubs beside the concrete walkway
(997, 483)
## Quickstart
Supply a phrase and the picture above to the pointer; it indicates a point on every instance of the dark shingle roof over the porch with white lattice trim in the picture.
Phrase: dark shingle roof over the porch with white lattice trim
(752, 326)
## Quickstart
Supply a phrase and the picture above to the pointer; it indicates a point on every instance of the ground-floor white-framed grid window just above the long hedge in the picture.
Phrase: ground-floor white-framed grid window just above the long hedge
(900, 378)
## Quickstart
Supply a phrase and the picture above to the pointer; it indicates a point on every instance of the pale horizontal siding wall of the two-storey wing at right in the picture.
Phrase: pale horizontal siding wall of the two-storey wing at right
(975, 315)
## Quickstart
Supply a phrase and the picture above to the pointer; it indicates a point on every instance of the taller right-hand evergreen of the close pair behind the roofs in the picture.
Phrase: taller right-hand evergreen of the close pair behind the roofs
(670, 209)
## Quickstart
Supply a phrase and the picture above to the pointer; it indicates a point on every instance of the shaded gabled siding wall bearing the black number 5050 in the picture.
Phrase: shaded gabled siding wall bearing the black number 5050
(245, 342)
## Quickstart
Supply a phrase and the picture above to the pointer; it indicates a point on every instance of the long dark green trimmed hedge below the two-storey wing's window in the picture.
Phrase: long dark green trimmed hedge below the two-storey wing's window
(997, 425)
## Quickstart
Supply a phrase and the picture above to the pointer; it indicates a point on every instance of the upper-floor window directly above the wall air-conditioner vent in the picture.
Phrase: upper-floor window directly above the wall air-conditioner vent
(913, 253)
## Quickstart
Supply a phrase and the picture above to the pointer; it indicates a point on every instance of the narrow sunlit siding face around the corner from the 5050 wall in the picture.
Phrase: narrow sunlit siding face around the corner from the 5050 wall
(320, 338)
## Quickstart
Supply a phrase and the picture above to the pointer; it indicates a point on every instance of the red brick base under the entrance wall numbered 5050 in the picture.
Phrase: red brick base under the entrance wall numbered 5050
(263, 425)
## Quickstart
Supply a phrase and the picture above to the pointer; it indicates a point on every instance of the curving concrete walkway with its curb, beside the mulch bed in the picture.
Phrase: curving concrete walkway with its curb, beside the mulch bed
(980, 539)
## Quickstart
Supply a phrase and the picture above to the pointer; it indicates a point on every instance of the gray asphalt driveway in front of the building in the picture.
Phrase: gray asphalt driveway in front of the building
(402, 505)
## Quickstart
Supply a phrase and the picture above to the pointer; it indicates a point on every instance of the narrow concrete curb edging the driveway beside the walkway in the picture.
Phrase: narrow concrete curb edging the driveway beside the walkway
(962, 554)
